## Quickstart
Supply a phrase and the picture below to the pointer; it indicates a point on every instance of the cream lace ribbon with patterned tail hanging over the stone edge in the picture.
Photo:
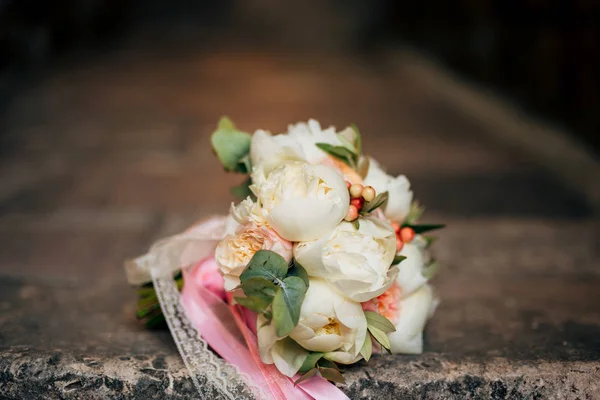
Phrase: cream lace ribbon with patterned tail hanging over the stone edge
(213, 377)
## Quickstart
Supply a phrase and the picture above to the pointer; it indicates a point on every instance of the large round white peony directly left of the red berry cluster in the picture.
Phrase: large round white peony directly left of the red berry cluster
(303, 202)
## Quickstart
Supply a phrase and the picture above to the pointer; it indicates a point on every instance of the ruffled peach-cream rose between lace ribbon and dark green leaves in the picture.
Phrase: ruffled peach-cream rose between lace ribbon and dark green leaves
(235, 251)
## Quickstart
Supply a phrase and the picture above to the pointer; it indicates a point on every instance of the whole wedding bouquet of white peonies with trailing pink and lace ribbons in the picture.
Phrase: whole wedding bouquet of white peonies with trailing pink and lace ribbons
(323, 263)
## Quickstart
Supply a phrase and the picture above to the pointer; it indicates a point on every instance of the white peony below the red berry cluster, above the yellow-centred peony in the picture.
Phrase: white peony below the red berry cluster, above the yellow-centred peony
(355, 262)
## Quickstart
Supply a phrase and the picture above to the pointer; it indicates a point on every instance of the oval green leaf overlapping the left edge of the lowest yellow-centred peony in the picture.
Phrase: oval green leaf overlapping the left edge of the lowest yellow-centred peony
(287, 303)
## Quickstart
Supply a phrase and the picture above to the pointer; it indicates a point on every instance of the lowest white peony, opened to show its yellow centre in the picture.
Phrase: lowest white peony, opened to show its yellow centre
(330, 323)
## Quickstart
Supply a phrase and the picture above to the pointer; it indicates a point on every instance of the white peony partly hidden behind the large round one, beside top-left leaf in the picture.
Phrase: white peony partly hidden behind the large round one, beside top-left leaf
(270, 151)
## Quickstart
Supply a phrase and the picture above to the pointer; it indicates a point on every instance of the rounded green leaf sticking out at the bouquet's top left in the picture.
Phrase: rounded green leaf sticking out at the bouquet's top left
(231, 146)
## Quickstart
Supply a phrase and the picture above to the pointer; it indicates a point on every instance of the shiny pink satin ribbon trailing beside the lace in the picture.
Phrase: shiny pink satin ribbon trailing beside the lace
(231, 332)
